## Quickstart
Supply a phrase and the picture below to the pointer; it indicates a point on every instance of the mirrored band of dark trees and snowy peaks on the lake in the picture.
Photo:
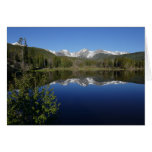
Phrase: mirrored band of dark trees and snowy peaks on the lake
(85, 78)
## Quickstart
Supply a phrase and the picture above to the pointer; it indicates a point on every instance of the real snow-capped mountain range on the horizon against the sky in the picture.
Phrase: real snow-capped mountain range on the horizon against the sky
(85, 53)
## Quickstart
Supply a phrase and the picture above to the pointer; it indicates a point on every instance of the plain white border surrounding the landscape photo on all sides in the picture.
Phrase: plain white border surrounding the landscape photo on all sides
(74, 13)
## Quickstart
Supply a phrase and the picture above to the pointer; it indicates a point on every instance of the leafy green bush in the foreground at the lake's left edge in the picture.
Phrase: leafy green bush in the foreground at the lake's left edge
(30, 104)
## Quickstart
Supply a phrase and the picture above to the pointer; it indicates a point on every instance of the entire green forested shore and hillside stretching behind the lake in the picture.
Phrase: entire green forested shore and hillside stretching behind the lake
(28, 58)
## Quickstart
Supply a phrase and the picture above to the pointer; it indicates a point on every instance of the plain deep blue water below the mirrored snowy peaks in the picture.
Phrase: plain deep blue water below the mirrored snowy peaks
(112, 104)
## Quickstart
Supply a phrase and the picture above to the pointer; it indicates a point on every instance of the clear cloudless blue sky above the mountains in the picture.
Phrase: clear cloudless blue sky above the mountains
(130, 39)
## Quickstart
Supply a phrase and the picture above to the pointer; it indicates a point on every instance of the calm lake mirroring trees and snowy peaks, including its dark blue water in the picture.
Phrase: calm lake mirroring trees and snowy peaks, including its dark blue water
(97, 97)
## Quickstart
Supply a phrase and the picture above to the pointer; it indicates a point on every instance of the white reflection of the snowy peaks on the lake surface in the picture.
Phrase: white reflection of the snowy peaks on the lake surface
(86, 81)
